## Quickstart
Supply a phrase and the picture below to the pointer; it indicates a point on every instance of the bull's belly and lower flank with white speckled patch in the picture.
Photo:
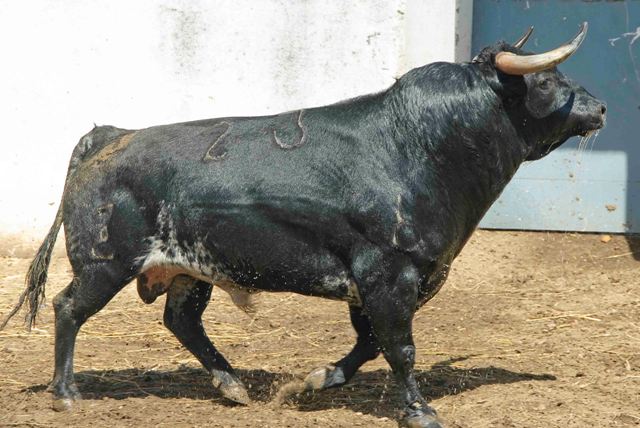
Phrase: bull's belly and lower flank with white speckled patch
(242, 250)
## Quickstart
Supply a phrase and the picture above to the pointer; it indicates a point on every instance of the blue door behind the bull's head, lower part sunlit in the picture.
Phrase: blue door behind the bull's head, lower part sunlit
(597, 188)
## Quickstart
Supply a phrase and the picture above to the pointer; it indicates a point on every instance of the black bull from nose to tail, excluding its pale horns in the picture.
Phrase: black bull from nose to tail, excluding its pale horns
(366, 201)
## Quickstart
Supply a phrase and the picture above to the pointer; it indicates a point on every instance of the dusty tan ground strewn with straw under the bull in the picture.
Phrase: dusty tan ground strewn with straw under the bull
(532, 329)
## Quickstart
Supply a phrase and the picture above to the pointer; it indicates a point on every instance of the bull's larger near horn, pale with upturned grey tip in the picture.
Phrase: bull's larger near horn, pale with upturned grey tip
(519, 65)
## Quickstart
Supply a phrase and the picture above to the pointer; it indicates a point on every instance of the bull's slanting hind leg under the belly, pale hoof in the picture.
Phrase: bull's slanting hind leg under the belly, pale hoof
(187, 299)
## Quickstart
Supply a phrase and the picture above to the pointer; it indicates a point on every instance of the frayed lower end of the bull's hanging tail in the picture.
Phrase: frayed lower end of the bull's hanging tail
(36, 277)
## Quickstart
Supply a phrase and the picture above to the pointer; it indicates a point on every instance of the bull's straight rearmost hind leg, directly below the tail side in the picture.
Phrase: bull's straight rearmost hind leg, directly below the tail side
(87, 293)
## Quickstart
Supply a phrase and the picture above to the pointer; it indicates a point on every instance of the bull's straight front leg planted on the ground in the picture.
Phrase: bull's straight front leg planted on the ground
(389, 292)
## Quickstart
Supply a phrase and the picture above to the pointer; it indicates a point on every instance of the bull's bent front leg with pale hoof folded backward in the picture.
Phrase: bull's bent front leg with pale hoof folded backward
(339, 373)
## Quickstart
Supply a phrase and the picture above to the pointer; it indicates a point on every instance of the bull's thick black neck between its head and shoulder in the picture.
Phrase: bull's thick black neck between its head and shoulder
(462, 146)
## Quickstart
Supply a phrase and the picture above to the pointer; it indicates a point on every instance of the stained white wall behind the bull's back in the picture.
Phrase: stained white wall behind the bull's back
(135, 64)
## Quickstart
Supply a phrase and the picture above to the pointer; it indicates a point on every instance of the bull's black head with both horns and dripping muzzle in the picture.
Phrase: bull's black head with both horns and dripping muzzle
(545, 105)
